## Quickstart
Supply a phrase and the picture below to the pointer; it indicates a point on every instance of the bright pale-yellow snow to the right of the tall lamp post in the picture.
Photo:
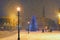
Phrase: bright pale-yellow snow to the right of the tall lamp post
(41, 36)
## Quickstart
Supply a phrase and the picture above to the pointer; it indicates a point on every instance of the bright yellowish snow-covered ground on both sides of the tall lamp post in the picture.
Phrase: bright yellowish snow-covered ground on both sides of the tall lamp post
(35, 36)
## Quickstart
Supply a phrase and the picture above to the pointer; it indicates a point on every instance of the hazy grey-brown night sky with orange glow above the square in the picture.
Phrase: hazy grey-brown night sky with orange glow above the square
(31, 7)
